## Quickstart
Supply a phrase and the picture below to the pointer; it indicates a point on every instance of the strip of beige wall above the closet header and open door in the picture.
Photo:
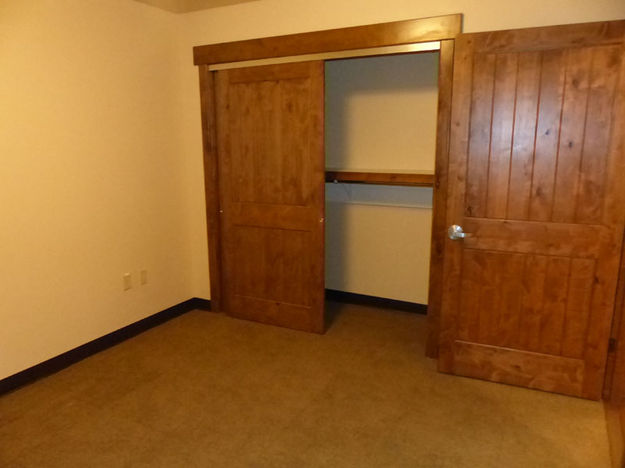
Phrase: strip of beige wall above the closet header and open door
(275, 17)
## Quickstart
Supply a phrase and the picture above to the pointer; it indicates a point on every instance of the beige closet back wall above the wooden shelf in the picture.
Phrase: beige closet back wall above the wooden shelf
(381, 112)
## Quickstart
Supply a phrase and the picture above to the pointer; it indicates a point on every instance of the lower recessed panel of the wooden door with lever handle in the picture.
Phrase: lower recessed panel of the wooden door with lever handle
(538, 303)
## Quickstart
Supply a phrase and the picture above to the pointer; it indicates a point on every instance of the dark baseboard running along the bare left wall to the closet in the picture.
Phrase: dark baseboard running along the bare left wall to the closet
(72, 356)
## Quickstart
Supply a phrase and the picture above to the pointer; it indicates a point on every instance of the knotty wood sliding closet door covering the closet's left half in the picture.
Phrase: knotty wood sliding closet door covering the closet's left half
(271, 173)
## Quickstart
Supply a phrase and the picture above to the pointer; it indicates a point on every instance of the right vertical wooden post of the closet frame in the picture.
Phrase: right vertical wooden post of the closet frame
(439, 198)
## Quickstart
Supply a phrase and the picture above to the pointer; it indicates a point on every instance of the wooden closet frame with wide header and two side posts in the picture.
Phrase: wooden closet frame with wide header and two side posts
(438, 28)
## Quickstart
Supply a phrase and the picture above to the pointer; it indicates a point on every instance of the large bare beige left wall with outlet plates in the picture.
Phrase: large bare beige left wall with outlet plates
(92, 181)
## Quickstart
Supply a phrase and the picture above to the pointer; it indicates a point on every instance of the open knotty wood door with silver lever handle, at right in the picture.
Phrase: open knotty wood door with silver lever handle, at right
(536, 179)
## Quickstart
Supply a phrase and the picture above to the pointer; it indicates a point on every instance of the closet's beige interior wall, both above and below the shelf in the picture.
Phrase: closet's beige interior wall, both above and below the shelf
(380, 116)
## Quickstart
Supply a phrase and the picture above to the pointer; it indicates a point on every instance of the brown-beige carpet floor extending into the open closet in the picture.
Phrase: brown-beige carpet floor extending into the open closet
(205, 390)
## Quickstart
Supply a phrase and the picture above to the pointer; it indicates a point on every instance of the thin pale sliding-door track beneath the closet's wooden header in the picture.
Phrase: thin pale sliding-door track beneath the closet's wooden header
(373, 51)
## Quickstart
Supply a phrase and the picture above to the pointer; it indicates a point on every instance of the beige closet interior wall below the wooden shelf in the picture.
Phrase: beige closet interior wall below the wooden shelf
(378, 240)
